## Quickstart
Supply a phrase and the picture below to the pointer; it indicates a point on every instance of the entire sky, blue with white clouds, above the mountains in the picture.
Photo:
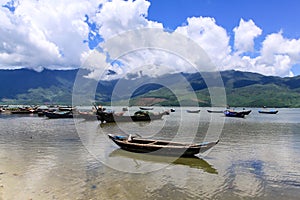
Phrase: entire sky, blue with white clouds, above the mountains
(249, 35)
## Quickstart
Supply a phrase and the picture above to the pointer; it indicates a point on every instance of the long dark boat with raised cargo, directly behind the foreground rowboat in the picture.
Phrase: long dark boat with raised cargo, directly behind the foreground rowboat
(108, 117)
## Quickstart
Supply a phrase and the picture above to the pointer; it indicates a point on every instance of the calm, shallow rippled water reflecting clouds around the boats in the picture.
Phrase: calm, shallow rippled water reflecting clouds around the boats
(257, 158)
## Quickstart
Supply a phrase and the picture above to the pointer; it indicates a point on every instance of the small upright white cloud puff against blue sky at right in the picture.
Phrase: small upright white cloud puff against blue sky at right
(244, 36)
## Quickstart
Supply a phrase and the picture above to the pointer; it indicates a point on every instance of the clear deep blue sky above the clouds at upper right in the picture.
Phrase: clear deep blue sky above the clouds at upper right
(271, 15)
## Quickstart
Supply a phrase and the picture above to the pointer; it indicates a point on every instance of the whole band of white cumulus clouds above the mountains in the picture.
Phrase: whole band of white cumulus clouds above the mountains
(61, 35)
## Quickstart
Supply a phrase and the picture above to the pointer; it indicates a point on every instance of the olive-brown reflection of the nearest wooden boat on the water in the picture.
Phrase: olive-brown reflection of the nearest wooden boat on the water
(192, 162)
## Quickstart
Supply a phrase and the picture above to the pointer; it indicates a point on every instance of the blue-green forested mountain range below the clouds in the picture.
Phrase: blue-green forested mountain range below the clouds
(246, 89)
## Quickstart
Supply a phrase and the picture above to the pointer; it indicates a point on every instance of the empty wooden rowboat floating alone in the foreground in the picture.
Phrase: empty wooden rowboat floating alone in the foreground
(161, 147)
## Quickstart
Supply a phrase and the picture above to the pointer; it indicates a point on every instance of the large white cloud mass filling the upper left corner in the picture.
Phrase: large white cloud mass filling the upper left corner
(46, 34)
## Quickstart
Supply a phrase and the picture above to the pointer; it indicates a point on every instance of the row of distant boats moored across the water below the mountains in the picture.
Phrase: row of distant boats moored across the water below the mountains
(106, 115)
